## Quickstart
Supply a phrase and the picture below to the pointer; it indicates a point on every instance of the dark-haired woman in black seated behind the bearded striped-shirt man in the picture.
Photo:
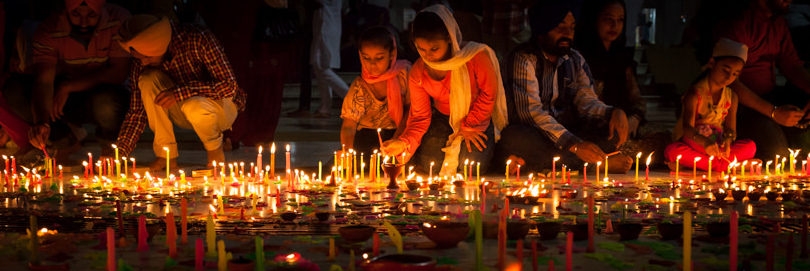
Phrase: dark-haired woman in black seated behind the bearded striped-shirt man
(601, 39)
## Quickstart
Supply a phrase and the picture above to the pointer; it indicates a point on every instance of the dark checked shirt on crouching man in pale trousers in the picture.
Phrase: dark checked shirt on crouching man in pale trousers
(197, 64)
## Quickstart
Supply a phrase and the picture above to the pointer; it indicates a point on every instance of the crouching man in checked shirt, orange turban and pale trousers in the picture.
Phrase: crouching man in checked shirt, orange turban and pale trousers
(180, 76)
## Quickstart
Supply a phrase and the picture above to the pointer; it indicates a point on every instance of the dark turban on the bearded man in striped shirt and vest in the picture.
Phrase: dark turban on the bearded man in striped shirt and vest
(545, 15)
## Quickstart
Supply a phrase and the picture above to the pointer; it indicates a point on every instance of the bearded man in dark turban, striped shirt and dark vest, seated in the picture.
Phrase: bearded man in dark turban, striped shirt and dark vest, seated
(553, 111)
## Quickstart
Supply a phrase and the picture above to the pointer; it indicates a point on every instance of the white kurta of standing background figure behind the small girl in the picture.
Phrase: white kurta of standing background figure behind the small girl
(326, 30)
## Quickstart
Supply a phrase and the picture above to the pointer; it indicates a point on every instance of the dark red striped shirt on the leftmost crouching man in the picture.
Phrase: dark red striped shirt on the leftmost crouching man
(53, 44)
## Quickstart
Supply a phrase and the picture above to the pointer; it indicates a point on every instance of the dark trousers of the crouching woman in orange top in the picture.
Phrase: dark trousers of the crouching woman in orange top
(430, 150)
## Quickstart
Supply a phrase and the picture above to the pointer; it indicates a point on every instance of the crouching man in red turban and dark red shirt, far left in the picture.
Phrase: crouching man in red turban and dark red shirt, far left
(79, 71)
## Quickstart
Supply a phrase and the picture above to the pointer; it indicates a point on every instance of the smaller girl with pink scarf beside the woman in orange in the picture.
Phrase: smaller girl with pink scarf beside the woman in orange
(378, 98)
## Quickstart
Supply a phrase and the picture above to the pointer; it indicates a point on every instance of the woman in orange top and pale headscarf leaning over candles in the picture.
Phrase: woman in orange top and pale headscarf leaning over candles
(464, 83)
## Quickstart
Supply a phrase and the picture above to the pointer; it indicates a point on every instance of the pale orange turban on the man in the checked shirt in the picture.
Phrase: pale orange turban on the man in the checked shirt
(147, 34)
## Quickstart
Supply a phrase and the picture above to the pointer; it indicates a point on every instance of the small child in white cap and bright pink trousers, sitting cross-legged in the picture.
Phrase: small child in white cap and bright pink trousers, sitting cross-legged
(707, 126)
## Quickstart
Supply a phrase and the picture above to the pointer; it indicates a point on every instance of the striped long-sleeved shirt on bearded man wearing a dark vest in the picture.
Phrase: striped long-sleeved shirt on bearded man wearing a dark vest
(551, 96)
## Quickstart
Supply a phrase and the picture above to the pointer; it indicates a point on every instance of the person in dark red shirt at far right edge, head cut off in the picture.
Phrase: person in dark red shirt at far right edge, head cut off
(774, 115)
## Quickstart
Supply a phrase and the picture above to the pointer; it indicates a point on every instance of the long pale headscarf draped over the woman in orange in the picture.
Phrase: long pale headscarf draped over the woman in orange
(460, 88)
